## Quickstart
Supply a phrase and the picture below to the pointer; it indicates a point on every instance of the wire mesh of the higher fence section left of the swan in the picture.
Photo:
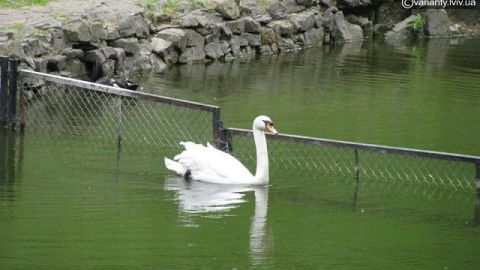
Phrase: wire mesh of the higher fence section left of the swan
(59, 109)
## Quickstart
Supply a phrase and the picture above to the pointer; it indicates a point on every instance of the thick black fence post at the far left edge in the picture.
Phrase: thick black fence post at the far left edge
(8, 91)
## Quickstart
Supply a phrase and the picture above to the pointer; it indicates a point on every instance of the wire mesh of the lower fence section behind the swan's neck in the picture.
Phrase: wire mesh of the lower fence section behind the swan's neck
(309, 159)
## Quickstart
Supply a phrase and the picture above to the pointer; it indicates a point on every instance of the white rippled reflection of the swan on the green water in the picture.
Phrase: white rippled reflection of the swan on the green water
(216, 200)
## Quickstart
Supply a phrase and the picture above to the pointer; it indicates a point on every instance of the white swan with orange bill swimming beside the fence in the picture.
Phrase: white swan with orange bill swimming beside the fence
(208, 164)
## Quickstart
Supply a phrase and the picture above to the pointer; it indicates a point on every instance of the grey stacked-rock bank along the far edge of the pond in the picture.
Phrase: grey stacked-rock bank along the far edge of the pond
(221, 30)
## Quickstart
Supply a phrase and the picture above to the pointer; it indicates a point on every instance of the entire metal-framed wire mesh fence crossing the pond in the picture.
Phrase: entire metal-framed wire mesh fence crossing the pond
(59, 107)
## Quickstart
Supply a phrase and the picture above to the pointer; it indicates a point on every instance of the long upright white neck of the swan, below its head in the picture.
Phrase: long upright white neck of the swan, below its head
(261, 175)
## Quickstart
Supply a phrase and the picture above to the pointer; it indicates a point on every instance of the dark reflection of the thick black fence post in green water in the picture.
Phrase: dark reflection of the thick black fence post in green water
(11, 162)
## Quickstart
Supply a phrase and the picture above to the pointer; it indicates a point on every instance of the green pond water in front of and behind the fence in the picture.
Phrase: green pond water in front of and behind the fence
(71, 203)
